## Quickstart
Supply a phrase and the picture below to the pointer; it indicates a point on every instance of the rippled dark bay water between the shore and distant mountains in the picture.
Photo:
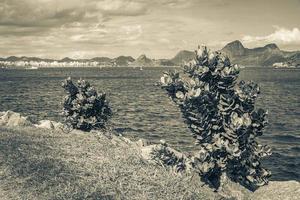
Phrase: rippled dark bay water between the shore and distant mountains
(142, 110)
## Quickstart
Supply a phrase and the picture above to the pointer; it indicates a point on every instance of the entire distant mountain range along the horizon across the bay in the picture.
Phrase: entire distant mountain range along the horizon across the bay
(238, 54)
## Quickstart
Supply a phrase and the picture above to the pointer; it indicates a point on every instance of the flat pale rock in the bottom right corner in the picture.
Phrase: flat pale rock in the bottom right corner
(278, 190)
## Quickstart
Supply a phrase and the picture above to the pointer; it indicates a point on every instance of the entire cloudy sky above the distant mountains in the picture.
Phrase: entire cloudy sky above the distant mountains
(157, 28)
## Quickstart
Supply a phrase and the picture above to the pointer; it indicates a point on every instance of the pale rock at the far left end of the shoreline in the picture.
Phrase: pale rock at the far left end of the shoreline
(10, 118)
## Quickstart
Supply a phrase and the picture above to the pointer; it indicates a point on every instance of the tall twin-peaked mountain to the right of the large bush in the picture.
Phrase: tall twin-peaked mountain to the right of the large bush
(260, 56)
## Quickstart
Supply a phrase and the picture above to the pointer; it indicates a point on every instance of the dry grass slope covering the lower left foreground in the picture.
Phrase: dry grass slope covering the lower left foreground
(43, 164)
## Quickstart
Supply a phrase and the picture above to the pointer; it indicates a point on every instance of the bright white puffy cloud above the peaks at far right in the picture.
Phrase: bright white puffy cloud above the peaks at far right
(281, 36)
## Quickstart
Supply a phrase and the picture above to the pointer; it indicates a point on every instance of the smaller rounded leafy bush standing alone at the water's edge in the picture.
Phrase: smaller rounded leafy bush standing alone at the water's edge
(83, 107)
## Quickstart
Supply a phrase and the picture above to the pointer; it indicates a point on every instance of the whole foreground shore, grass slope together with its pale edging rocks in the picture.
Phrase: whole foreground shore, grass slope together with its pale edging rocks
(100, 160)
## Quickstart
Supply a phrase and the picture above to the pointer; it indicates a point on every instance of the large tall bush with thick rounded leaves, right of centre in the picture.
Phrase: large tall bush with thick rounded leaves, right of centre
(221, 115)
